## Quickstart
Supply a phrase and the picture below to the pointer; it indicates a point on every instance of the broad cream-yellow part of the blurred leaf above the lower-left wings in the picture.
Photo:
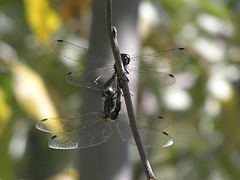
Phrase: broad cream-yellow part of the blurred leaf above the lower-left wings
(31, 93)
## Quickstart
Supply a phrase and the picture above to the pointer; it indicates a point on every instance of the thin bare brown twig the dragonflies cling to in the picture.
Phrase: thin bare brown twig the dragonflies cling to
(112, 35)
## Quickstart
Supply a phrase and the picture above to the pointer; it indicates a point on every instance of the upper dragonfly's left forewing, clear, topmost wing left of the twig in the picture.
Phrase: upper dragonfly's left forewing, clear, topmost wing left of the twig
(74, 52)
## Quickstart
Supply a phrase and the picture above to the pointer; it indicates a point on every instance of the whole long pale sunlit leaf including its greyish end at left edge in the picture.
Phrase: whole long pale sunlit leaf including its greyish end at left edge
(28, 86)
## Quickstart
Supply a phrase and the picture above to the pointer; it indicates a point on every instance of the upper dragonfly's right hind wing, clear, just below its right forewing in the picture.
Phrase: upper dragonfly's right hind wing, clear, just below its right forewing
(141, 80)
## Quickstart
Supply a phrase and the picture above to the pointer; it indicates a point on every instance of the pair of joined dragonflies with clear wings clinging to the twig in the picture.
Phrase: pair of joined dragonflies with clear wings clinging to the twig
(90, 129)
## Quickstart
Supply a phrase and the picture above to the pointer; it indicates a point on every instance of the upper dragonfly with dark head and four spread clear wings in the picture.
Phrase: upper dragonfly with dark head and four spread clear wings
(147, 75)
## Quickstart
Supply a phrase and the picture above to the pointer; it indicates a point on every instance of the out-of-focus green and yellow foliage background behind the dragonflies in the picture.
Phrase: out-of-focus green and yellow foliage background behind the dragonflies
(202, 106)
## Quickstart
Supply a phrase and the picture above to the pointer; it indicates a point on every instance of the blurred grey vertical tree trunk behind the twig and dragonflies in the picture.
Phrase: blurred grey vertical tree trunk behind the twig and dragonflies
(109, 161)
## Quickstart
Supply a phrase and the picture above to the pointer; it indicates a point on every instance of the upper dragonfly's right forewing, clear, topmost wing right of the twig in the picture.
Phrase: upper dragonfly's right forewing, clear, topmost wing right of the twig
(161, 59)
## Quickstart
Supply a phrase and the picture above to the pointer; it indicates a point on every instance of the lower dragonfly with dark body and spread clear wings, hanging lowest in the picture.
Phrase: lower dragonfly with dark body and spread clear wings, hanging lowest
(91, 129)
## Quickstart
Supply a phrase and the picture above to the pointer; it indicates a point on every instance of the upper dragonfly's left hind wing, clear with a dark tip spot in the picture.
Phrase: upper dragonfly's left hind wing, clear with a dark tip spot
(93, 79)
